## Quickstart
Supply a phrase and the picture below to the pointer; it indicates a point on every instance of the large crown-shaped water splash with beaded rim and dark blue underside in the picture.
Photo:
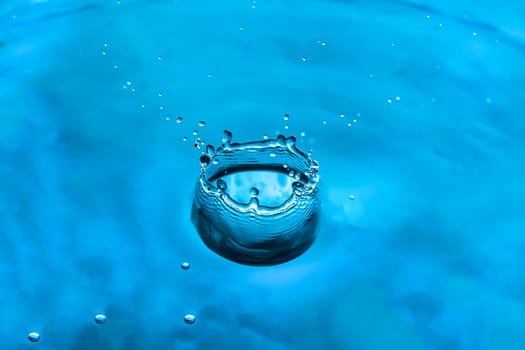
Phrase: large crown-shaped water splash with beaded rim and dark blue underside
(248, 231)
